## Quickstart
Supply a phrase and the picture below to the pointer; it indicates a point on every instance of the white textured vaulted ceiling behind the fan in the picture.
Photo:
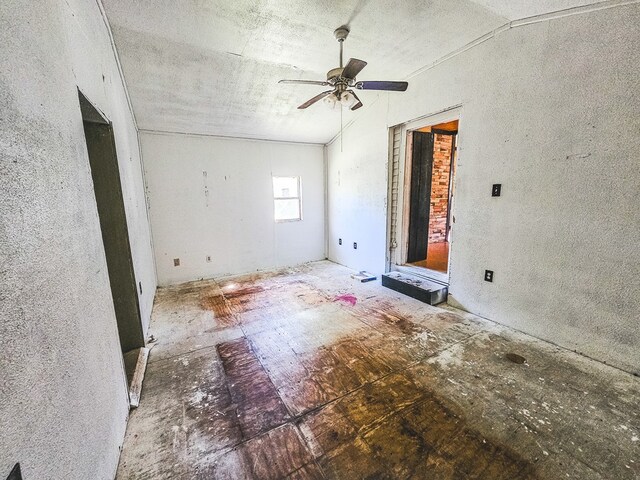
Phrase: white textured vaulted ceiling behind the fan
(212, 66)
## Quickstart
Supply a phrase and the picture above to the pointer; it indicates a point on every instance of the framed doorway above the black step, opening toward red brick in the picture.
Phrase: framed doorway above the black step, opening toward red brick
(423, 158)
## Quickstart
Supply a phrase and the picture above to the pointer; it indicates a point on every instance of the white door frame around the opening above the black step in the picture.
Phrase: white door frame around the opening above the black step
(397, 247)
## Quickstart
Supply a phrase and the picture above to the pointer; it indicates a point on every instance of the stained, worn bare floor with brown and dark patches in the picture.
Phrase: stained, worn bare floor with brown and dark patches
(307, 374)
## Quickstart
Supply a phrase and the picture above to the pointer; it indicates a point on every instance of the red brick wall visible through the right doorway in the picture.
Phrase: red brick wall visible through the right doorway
(440, 187)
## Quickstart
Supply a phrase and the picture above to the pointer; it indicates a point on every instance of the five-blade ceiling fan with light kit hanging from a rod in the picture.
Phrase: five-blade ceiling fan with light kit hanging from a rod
(343, 80)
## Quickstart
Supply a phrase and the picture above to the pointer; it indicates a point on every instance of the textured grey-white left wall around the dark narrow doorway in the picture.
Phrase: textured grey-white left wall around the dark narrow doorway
(63, 399)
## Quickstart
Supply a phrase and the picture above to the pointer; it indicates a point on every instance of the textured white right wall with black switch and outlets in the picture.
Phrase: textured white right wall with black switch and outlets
(550, 110)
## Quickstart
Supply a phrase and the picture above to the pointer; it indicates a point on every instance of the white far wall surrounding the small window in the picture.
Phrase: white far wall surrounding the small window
(228, 214)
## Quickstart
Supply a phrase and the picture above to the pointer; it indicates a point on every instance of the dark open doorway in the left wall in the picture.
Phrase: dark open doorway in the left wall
(103, 162)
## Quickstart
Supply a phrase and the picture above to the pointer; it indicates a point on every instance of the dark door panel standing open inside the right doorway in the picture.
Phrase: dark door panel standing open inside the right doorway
(421, 166)
